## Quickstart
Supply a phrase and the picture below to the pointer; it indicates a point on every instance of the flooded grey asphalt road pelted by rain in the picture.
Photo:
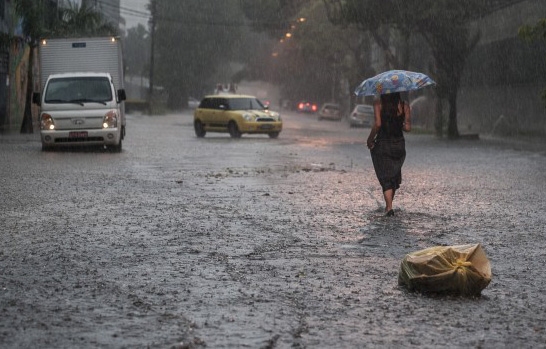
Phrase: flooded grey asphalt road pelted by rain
(180, 242)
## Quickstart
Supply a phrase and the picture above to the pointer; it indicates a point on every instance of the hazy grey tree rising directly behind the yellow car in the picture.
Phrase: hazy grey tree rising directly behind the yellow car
(195, 42)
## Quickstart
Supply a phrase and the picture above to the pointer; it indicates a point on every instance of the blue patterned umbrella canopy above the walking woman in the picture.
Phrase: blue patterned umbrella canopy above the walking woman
(393, 81)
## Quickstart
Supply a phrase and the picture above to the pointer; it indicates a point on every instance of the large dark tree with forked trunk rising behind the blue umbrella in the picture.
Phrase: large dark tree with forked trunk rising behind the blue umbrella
(443, 24)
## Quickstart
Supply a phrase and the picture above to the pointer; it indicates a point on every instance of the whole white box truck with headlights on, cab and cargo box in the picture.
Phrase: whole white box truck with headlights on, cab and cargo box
(82, 93)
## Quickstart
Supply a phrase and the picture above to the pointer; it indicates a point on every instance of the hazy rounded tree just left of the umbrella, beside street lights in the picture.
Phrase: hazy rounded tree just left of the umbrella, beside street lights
(330, 57)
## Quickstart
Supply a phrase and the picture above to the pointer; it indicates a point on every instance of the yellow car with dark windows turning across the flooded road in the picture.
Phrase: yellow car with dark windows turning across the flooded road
(235, 114)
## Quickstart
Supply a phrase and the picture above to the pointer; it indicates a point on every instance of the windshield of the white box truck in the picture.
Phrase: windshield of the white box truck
(78, 90)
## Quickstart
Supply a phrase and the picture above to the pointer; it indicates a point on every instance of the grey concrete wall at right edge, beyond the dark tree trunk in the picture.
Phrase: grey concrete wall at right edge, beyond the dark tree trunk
(508, 107)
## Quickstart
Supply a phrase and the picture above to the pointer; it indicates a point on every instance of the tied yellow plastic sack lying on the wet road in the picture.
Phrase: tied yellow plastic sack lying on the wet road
(459, 270)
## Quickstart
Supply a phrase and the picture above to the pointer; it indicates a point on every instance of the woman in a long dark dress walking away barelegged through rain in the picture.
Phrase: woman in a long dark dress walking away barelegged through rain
(386, 142)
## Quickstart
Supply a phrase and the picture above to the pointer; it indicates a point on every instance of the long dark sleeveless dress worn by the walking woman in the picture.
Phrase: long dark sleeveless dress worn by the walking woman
(389, 152)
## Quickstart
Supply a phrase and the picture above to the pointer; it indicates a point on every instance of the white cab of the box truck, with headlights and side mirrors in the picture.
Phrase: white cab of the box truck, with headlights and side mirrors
(80, 109)
